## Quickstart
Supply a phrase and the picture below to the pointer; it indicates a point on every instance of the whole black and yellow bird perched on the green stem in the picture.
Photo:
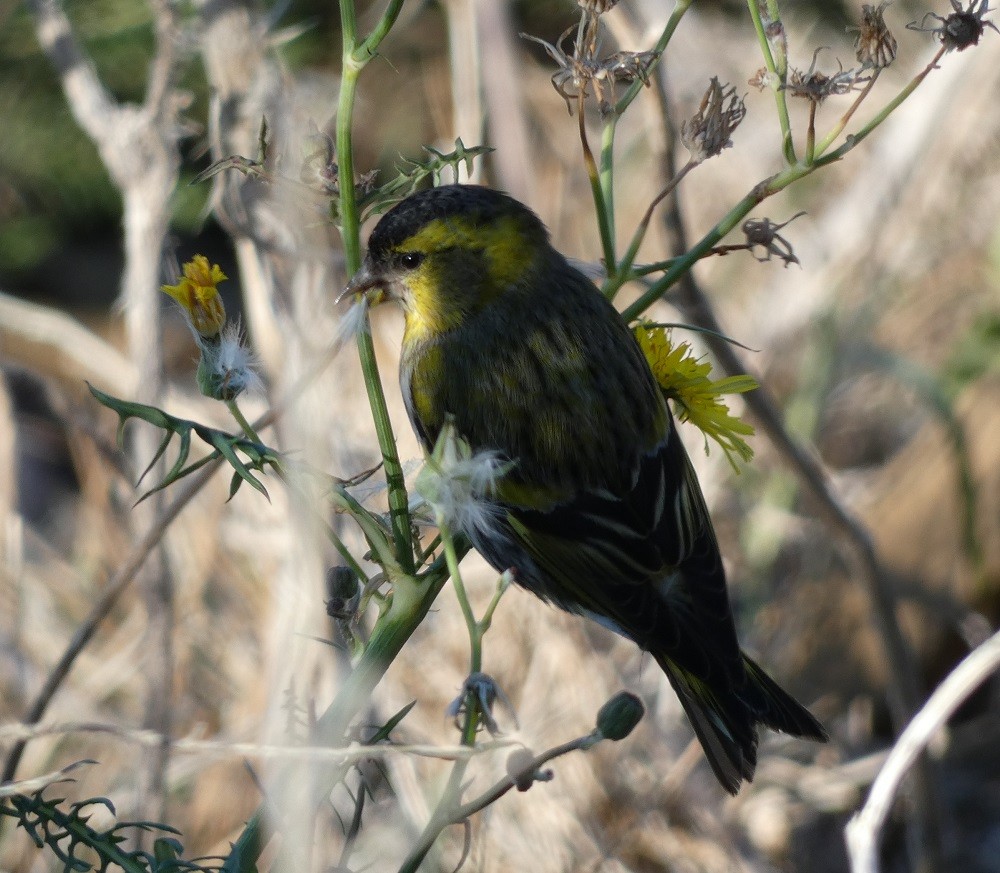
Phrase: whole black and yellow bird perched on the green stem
(599, 510)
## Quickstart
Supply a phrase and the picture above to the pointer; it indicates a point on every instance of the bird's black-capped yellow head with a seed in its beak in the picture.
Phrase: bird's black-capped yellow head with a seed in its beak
(445, 253)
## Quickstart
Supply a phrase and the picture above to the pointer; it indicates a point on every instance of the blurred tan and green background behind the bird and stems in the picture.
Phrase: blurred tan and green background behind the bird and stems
(882, 349)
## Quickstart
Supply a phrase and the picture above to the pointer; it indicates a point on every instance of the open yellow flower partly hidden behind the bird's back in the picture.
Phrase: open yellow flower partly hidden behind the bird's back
(686, 381)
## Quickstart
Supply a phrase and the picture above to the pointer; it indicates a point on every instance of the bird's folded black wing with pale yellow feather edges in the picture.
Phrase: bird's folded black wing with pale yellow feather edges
(646, 562)
